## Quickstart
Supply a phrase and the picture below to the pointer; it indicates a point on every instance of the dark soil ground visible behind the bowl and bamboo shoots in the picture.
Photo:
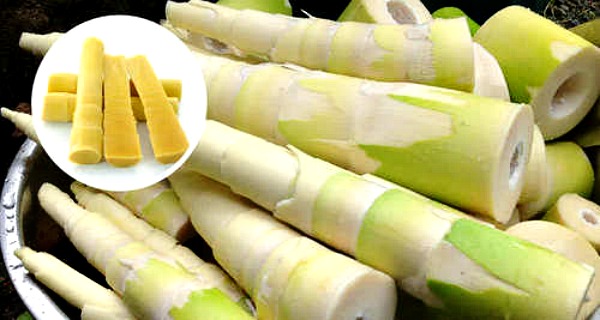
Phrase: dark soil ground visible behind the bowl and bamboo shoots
(18, 68)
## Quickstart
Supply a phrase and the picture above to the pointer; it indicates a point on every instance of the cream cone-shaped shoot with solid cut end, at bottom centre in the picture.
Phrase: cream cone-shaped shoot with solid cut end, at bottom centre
(280, 268)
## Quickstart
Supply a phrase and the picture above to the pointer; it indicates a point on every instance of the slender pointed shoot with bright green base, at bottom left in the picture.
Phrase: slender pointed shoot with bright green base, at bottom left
(131, 268)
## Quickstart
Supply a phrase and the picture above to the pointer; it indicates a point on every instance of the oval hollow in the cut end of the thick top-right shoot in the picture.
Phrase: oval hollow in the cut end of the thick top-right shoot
(568, 96)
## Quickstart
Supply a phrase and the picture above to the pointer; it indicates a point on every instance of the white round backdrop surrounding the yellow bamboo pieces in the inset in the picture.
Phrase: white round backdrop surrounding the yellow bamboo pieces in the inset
(169, 57)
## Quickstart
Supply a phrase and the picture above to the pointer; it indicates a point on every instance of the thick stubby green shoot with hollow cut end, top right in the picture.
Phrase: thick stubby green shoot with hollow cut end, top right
(545, 65)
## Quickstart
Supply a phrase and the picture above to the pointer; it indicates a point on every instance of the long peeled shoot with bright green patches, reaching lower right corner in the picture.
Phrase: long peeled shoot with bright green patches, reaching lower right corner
(433, 252)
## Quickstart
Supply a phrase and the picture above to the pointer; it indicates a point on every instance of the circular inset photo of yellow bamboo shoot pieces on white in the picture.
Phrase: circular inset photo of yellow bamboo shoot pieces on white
(172, 63)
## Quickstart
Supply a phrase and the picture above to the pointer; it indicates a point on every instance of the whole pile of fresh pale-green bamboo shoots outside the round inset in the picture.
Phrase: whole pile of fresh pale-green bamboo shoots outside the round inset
(345, 160)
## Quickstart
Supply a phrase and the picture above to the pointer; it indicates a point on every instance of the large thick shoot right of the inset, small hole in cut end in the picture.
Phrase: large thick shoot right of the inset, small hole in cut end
(459, 148)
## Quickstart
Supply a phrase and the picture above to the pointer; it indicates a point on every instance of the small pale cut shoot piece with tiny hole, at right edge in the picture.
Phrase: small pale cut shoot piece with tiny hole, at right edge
(577, 213)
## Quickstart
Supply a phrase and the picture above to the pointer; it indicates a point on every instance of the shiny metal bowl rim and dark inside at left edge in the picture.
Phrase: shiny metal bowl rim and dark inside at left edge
(23, 222)
